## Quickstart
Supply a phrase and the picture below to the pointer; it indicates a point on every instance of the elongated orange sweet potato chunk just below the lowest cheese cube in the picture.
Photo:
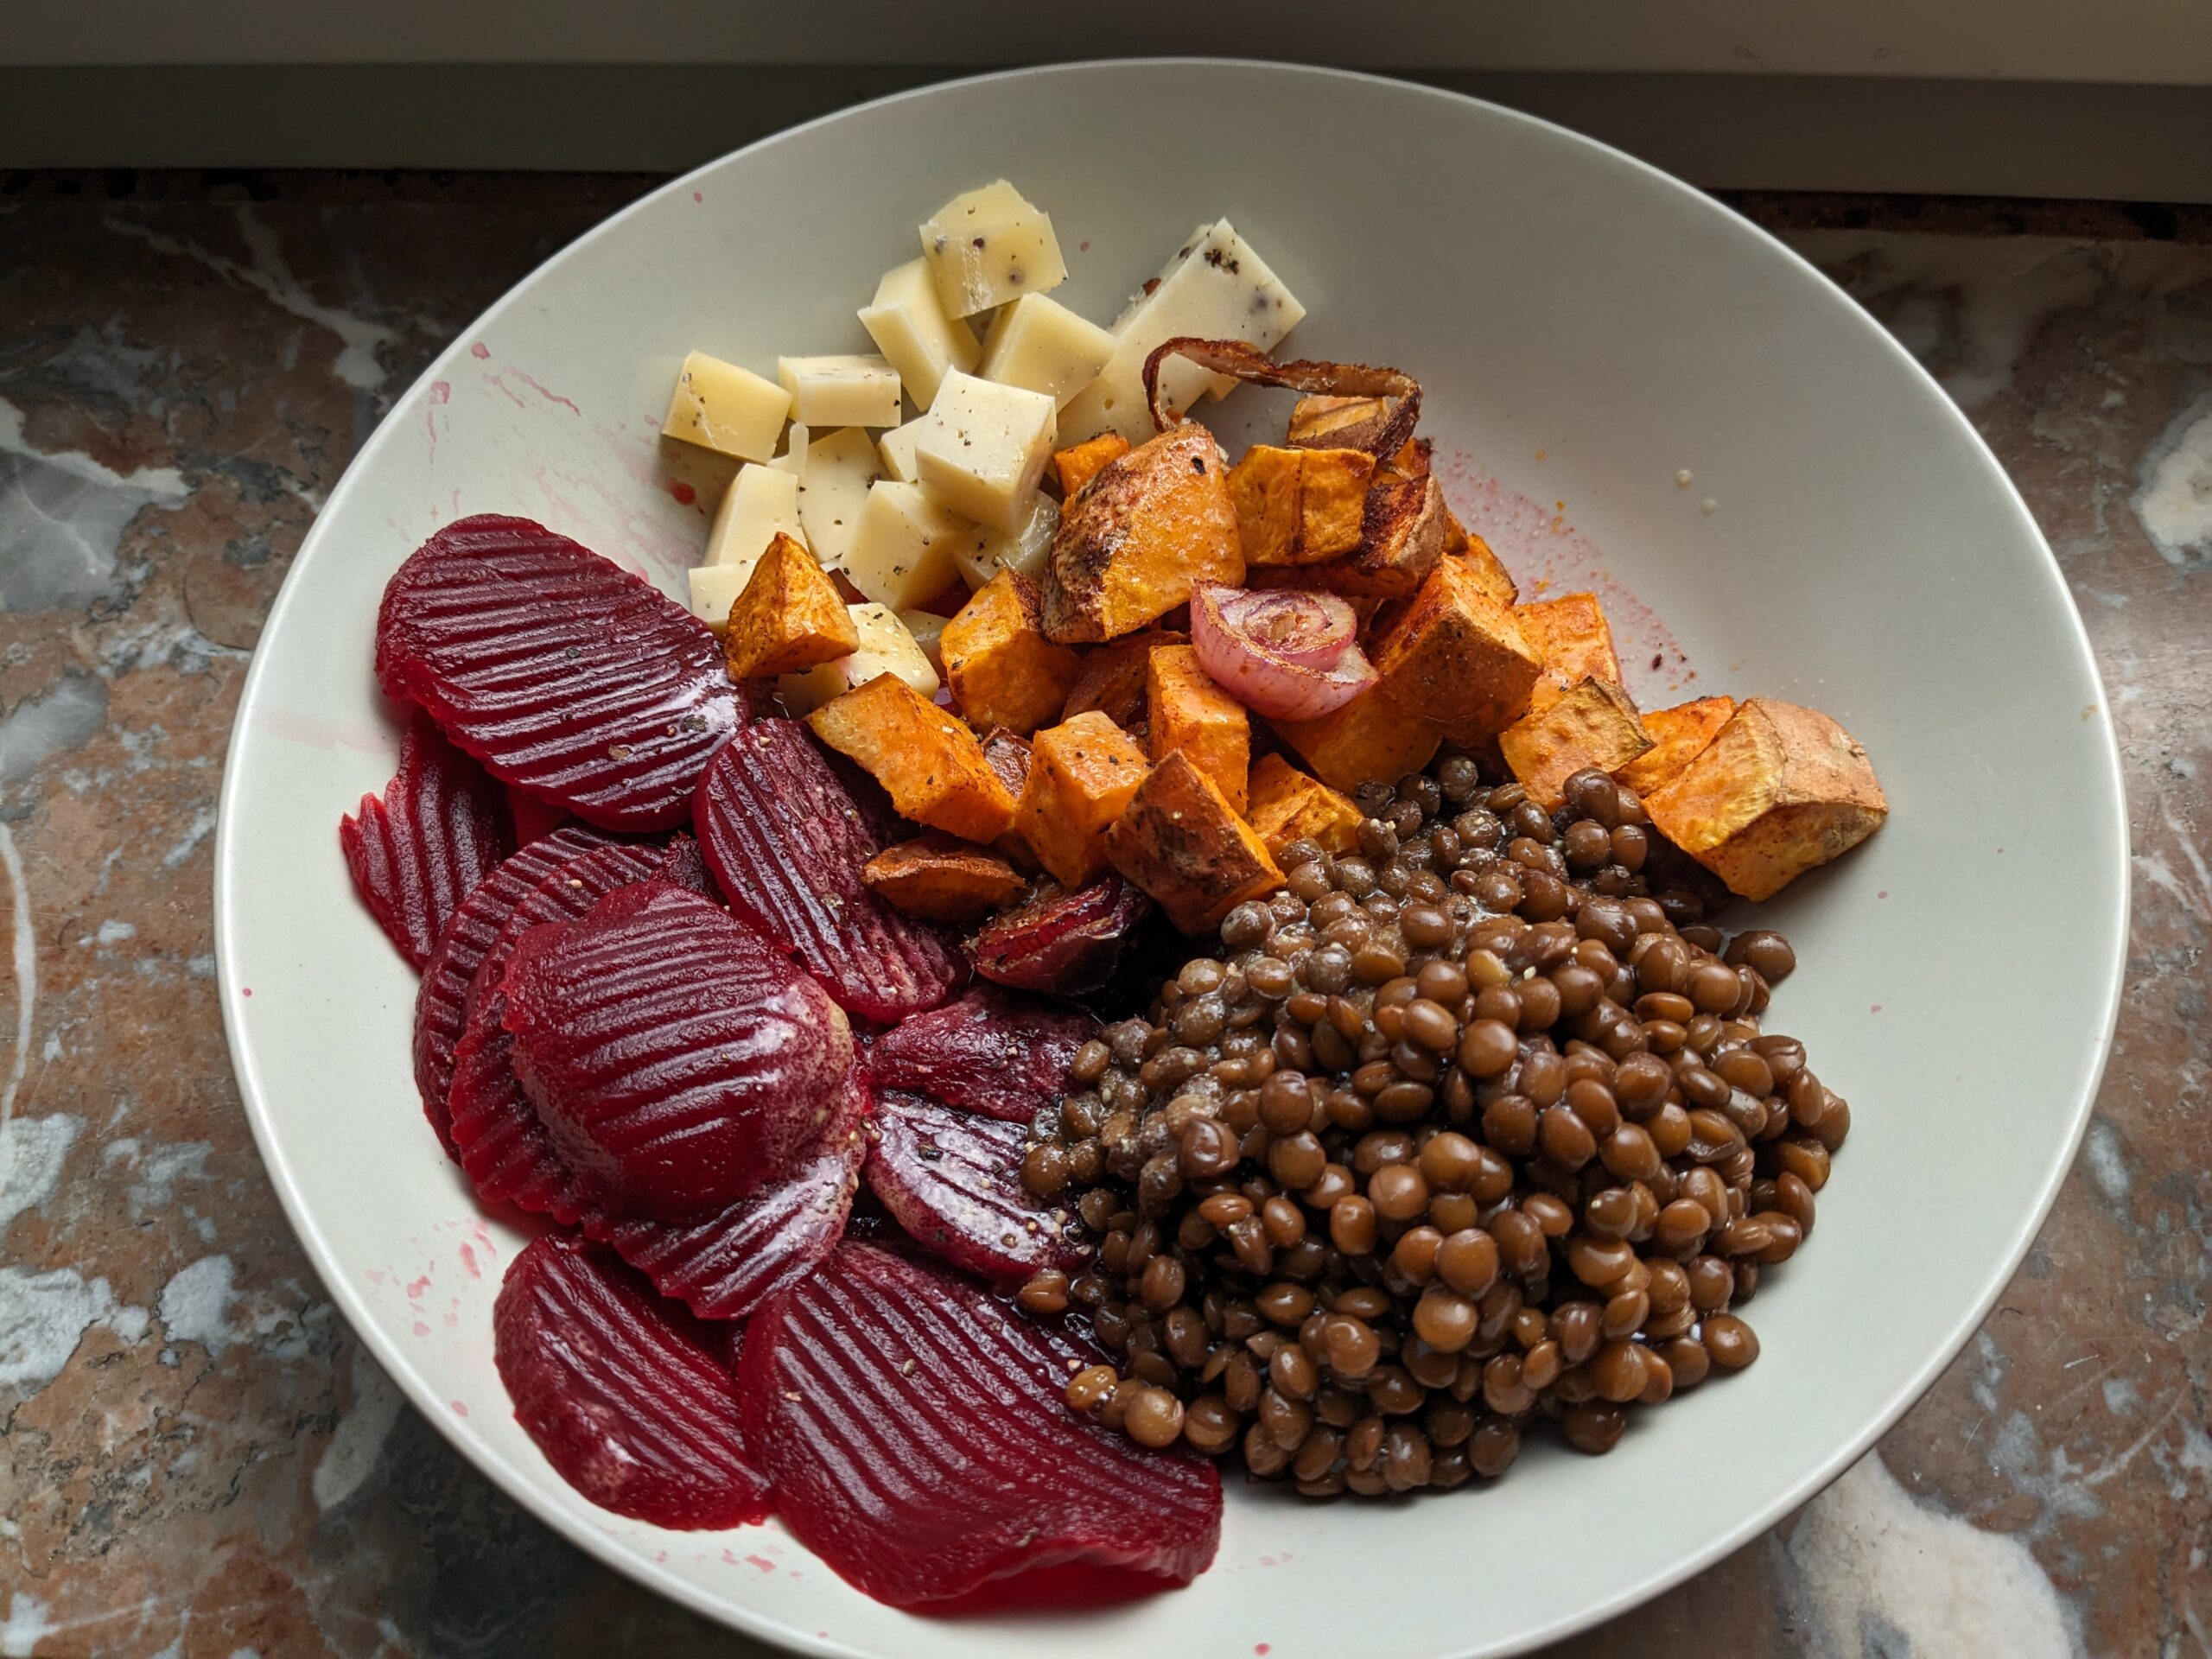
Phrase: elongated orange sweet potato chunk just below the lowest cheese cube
(926, 760)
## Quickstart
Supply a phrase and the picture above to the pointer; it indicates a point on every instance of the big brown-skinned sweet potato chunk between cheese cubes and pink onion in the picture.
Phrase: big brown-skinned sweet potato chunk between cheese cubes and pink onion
(1149, 530)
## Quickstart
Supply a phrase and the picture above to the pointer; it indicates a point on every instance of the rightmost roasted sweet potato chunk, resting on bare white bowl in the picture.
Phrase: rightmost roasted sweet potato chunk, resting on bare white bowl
(1780, 791)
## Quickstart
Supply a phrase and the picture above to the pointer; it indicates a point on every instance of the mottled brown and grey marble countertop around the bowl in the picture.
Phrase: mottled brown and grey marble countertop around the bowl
(198, 1459)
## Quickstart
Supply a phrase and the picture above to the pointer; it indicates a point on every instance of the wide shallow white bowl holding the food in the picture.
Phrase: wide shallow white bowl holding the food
(1587, 328)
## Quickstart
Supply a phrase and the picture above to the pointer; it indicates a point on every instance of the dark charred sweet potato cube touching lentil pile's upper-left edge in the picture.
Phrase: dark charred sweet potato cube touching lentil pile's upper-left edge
(1185, 846)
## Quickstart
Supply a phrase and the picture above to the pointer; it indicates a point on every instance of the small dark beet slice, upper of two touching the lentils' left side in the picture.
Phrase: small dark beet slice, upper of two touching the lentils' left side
(990, 1052)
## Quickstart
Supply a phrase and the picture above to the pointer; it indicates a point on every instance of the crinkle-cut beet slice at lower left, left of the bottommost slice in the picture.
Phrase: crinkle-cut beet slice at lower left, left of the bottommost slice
(629, 1397)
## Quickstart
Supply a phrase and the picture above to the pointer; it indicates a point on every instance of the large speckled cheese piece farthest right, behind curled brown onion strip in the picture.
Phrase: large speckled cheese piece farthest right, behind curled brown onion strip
(1215, 289)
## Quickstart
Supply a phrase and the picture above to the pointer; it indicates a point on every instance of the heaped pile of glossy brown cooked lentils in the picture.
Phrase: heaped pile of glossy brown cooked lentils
(1465, 1134)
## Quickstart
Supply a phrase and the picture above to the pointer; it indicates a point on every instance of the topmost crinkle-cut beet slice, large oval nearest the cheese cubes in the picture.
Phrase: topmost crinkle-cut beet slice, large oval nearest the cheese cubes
(561, 671)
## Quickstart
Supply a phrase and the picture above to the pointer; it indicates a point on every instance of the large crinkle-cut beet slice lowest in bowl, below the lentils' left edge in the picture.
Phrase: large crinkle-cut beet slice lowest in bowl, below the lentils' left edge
(919, 1441)
